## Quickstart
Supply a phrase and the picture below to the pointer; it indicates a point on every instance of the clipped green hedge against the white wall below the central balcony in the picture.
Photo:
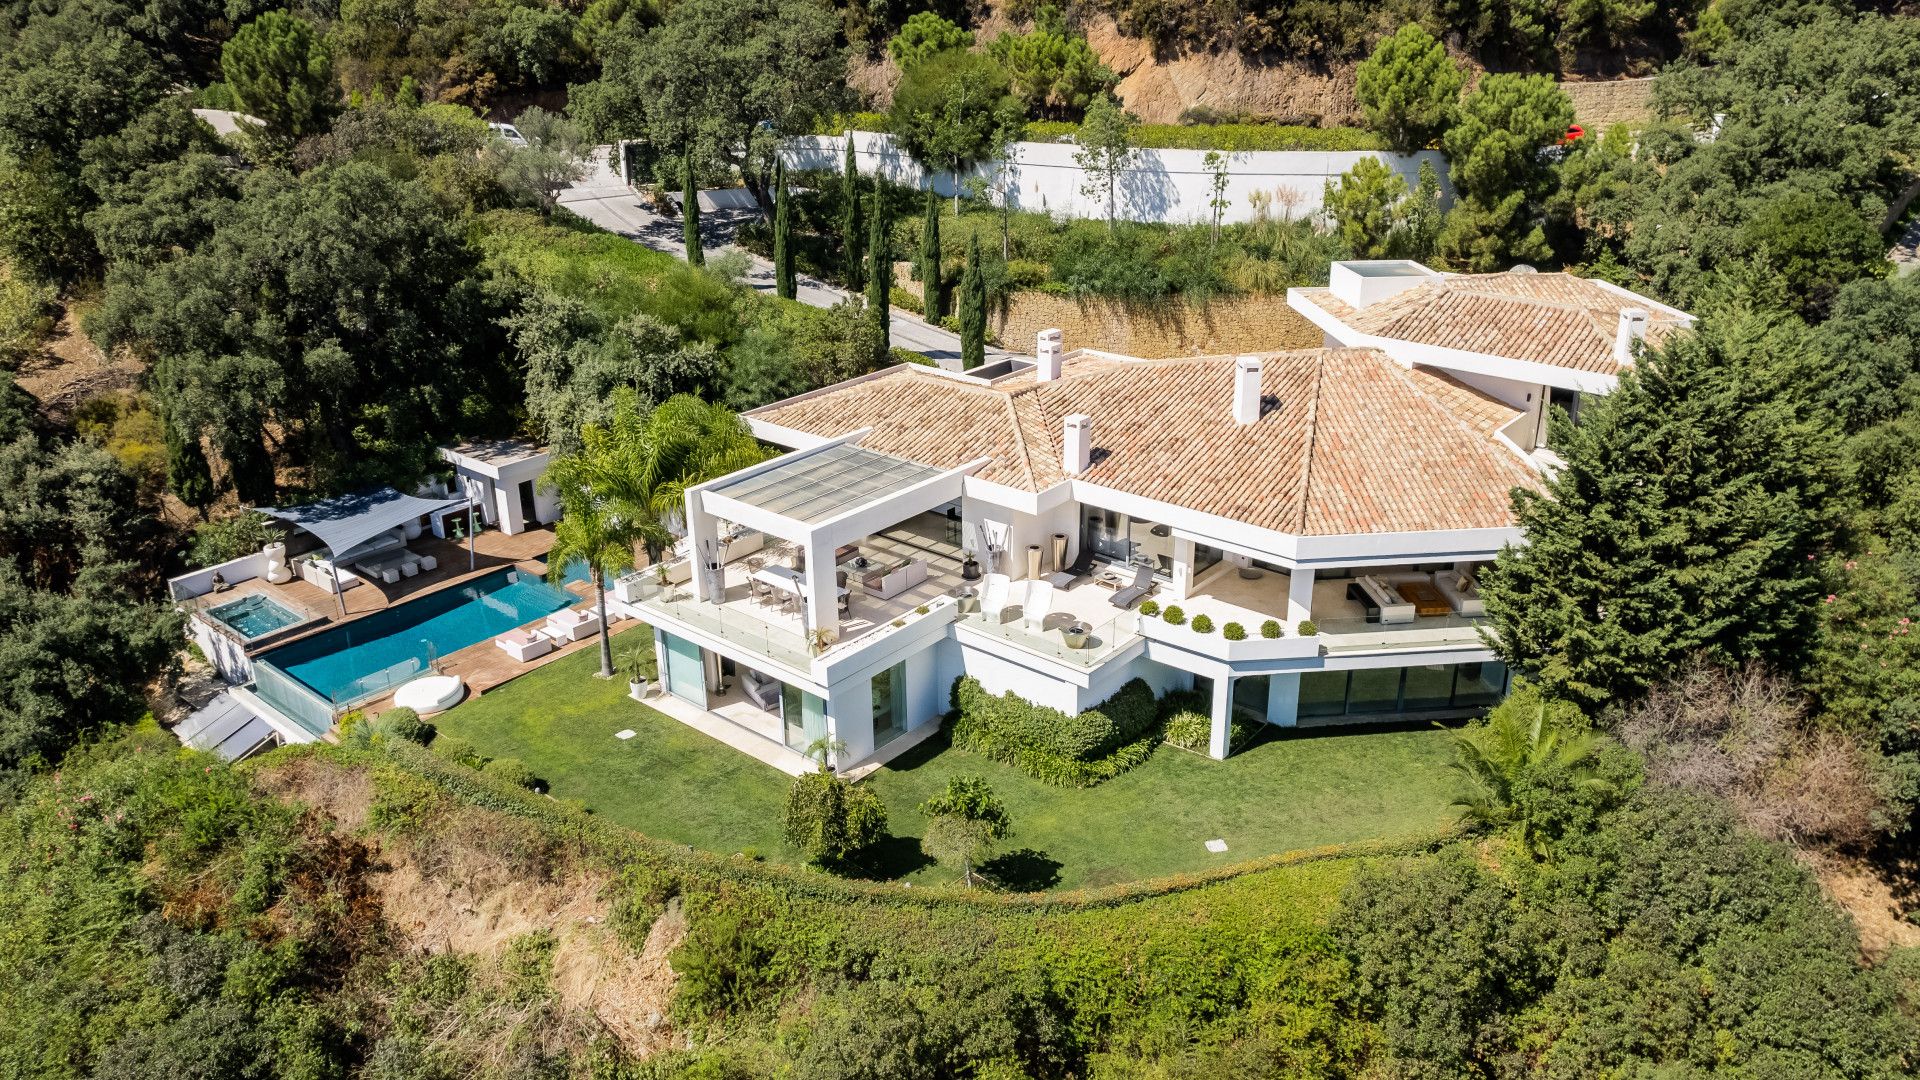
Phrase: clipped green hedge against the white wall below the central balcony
(1049, 745)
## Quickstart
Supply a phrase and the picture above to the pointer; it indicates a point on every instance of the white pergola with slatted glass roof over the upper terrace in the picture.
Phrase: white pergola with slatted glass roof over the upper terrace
(819, 499)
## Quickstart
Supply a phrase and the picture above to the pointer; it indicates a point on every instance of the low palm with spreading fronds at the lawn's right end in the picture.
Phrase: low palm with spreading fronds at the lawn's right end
(1520, 739)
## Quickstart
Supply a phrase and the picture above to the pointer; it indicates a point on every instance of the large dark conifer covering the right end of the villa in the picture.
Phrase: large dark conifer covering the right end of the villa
(1685, 522)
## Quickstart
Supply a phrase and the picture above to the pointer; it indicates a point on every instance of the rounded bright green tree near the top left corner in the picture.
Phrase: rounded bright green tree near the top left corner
(283, 74)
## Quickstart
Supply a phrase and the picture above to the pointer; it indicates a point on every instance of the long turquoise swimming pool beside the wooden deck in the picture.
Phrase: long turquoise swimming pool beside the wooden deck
(391, 647)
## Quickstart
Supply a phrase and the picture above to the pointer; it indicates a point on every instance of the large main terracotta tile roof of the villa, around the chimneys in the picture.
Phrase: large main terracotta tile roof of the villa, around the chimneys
(1349, 441)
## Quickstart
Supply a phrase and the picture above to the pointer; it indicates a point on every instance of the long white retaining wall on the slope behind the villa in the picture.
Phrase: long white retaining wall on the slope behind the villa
(1163, 185)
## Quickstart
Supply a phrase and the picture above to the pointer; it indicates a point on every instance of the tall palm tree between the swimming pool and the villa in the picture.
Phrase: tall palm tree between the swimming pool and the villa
(627, 485)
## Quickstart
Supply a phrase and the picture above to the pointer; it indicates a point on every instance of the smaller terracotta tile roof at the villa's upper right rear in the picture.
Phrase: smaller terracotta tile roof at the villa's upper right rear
(1545, 318)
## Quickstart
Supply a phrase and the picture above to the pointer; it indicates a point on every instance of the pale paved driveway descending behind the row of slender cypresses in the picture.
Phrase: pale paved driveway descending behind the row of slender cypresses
(606, 201)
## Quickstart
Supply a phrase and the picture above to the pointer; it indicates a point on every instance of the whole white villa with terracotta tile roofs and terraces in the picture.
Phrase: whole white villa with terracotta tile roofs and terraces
(1009, 522)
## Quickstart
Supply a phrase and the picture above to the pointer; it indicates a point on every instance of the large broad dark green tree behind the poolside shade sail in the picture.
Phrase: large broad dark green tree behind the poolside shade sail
(348, 318)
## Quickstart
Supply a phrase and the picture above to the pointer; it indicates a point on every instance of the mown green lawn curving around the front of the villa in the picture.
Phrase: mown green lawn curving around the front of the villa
(677, 785)
